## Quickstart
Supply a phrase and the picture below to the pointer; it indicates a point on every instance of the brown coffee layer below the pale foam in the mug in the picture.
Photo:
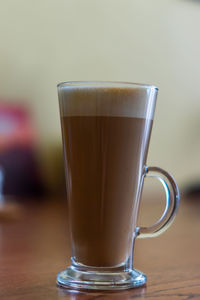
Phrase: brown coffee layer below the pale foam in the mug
(105, 159)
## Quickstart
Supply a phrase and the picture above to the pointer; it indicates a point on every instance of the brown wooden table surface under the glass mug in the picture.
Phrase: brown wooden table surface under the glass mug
(34, 246)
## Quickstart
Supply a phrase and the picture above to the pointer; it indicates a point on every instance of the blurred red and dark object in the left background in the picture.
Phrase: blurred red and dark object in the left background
(17, 152)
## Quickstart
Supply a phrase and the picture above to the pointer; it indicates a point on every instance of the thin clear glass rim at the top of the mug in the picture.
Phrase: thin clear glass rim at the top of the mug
(93, 83)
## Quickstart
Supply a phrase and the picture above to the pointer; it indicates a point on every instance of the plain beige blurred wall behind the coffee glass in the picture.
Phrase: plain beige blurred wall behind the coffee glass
(43, 42)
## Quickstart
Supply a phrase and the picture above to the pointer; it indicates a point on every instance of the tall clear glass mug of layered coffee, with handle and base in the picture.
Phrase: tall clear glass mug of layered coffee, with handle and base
(106, 129)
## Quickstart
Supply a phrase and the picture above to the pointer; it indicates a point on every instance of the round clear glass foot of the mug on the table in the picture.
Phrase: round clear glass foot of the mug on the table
(75, 278)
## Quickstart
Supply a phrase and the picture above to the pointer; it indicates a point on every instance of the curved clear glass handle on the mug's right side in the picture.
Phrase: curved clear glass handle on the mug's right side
(172, 203)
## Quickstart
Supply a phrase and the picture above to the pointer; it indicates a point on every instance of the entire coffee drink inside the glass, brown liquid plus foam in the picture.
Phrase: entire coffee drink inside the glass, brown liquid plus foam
(106, 135)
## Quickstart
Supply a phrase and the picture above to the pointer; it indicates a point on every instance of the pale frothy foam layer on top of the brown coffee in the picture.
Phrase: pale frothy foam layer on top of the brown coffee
(132, 102)
